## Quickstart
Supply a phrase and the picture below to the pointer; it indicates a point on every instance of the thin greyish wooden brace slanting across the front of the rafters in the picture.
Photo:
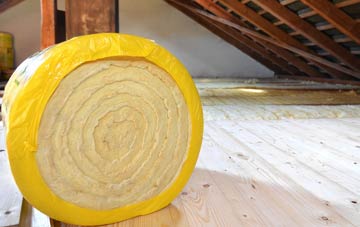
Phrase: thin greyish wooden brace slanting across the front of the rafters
(310, 56)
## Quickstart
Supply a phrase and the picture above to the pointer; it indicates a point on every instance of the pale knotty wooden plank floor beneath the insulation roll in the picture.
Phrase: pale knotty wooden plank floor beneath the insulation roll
(284, 172)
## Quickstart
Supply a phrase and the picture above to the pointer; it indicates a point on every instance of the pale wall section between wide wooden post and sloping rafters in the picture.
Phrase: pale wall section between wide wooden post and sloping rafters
(202, 52)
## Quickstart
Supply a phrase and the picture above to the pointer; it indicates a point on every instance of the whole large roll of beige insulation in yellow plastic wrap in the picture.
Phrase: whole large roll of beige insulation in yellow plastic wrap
(102, 128)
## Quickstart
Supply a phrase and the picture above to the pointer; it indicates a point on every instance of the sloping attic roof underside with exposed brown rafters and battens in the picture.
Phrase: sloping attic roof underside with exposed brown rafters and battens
(306, 38)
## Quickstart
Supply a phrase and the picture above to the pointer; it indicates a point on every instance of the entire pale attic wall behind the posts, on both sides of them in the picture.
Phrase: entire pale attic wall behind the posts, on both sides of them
(202, 52)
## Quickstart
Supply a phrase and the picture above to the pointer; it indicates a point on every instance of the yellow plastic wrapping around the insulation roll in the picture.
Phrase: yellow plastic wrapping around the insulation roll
(28, 92)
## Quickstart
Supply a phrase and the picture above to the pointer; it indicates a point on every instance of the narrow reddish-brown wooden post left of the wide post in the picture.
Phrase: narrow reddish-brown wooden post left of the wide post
(48, 25)
